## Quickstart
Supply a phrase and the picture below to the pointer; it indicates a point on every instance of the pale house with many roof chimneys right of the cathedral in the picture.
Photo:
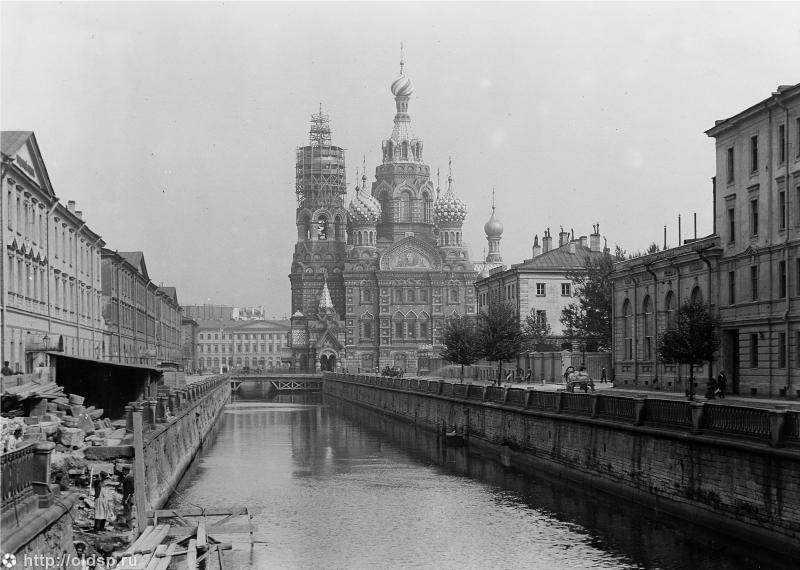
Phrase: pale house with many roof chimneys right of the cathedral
(540, 286)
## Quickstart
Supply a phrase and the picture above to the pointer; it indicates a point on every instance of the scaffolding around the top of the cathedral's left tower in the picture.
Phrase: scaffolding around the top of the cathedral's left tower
(320, 168)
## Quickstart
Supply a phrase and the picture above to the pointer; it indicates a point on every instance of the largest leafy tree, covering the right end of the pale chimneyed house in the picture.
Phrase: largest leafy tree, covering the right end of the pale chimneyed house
(590, 317)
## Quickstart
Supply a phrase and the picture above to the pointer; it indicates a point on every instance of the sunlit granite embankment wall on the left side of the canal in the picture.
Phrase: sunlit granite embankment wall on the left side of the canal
(169, 448)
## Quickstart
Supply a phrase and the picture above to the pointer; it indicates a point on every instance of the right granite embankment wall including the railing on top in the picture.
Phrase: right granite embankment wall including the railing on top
(733, 467)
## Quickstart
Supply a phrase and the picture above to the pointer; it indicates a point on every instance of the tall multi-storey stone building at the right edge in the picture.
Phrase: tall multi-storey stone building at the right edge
(757, 217)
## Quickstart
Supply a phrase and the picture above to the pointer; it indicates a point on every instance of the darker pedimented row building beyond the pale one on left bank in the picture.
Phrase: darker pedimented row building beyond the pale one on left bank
(143, 320)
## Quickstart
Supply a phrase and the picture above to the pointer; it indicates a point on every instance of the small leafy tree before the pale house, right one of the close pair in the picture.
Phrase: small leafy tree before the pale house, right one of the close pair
(500, 333)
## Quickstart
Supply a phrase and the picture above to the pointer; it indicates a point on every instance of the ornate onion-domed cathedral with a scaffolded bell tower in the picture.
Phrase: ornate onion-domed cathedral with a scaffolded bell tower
(373, 281)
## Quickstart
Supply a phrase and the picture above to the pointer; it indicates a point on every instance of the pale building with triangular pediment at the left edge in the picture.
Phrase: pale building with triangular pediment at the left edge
(50, 294)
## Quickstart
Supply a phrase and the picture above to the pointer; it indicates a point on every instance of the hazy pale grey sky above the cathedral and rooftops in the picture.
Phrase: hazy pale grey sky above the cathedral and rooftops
(174, 125)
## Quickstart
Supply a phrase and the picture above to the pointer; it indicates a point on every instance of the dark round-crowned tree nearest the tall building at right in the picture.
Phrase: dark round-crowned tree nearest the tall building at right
(692, 340)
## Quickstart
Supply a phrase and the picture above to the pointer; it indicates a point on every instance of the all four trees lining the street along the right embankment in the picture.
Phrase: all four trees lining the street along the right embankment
(497, 334)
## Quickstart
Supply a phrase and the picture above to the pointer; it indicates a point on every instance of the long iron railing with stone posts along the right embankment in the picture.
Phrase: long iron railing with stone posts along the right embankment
(778, 427)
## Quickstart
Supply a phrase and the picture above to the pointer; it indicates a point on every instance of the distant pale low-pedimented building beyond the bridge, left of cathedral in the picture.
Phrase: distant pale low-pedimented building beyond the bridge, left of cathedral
(223, 345)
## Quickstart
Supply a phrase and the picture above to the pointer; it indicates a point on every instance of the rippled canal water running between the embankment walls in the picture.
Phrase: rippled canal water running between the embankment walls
(338, 486)
